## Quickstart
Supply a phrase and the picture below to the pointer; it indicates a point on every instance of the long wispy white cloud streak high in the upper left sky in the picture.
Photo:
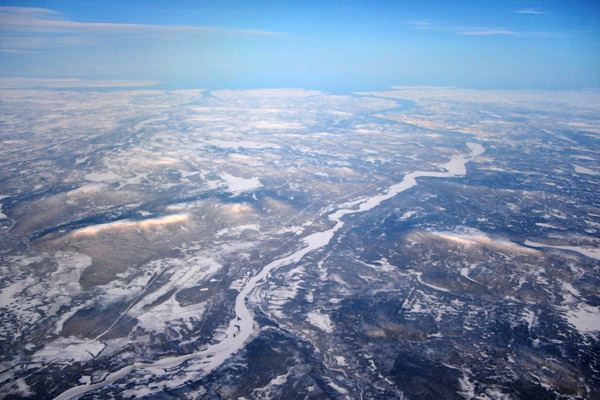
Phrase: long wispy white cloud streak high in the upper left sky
(41, 21)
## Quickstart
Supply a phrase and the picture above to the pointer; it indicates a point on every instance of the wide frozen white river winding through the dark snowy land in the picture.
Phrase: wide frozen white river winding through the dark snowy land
(184, 368)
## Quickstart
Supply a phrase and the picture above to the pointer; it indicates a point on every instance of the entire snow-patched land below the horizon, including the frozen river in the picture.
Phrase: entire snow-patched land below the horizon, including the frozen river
(418, 243)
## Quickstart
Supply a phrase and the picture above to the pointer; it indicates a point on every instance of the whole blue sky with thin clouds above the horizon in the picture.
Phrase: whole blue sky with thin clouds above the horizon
(336, 46)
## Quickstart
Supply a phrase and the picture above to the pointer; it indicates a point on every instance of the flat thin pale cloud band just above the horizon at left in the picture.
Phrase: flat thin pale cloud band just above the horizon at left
(30, 83)
